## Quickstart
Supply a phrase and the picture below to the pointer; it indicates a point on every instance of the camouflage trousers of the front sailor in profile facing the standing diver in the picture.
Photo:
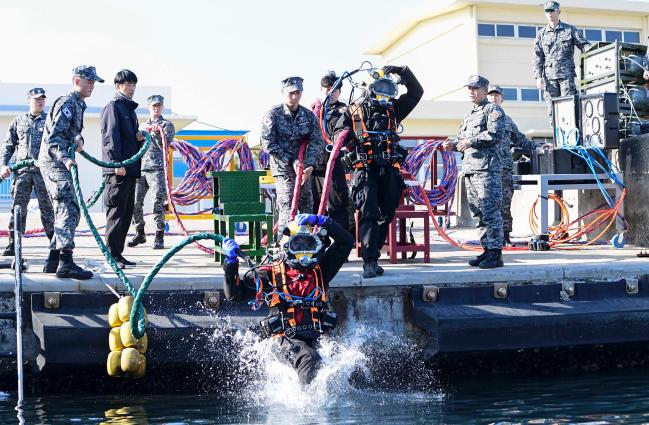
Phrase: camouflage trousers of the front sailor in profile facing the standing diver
(484, 191)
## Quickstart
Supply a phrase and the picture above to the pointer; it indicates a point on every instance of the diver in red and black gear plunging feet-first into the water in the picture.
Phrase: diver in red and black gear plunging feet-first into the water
(294, 285)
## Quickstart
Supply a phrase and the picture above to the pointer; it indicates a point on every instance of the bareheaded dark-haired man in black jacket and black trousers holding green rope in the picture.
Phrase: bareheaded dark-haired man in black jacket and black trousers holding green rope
(120, 140)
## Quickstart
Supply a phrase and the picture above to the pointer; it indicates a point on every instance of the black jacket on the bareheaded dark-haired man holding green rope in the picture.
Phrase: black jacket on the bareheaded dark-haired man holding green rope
(119, 128)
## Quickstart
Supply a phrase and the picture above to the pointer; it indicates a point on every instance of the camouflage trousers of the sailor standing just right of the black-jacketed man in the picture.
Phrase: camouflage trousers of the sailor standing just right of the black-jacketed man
(154, 180)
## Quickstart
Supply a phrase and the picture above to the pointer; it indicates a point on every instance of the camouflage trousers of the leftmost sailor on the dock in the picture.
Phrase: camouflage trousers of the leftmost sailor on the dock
(21, 190)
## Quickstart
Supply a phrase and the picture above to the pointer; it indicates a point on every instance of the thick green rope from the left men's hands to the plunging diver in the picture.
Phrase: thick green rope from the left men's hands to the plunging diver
(137, 312)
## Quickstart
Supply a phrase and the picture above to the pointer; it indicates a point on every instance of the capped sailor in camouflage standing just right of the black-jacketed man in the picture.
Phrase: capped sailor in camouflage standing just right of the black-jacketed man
(153, 176)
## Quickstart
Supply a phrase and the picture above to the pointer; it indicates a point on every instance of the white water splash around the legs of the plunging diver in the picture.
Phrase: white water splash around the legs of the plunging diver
(360, 362)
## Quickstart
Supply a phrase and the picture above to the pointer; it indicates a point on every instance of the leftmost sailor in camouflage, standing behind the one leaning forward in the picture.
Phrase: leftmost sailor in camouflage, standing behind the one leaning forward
(24, 139)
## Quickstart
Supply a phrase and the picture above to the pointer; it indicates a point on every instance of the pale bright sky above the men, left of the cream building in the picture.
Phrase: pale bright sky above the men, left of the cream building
(224, 60)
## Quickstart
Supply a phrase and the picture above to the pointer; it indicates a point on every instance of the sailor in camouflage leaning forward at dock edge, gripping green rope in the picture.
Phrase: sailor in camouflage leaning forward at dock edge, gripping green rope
(63, 127)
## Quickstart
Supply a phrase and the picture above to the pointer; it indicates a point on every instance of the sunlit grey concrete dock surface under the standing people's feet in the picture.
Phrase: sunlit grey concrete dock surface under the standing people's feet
(194, 269)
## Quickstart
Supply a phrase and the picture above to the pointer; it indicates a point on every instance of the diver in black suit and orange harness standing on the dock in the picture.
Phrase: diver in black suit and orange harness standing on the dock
(375, 156)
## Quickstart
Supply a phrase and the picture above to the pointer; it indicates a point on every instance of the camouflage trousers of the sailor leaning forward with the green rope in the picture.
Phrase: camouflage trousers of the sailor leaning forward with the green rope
(66, 210)
